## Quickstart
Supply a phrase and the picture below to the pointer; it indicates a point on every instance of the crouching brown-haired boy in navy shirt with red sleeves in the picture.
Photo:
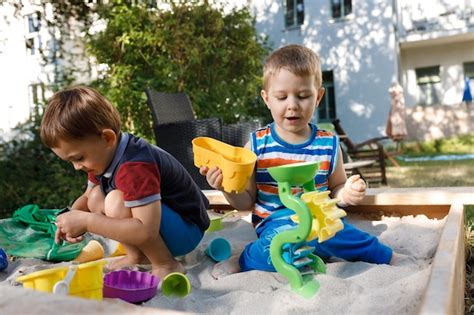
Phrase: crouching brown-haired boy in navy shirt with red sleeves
(137, 194)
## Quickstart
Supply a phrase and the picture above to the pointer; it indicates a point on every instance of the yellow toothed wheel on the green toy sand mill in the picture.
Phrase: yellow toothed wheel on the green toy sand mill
(326, 215)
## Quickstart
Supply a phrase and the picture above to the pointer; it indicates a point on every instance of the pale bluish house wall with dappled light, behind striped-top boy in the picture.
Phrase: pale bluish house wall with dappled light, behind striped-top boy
(360, 50)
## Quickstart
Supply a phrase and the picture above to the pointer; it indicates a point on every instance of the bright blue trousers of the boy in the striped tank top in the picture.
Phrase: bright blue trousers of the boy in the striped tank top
(350, 244)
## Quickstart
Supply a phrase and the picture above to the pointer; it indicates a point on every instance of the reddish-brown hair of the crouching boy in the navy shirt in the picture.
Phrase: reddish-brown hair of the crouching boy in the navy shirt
(76, 113)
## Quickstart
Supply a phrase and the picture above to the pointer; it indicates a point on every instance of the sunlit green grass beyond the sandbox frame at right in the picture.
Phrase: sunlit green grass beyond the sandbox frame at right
(442, 174)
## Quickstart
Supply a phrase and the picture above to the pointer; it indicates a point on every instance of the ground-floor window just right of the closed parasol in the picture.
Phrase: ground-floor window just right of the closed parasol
(429, 83)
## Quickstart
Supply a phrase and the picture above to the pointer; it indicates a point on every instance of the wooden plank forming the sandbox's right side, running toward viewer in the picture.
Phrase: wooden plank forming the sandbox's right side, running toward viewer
(445, 291)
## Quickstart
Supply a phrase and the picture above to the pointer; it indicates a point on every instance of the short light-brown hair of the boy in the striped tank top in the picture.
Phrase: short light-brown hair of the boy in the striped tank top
(297, 59)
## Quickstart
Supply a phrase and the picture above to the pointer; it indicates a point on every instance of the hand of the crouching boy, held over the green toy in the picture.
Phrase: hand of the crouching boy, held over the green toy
(71, 226)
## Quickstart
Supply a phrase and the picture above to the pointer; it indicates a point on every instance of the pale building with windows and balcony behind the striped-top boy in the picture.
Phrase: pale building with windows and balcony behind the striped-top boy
(427, 45)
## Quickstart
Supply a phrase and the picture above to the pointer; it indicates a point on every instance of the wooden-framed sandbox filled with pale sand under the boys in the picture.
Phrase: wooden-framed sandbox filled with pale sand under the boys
(442, 293)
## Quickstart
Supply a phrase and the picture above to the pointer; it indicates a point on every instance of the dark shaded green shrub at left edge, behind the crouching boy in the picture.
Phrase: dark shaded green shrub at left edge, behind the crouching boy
(32, 173)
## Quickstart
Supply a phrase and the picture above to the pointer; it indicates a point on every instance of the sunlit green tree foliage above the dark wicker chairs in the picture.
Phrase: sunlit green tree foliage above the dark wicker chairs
(197, 48)
